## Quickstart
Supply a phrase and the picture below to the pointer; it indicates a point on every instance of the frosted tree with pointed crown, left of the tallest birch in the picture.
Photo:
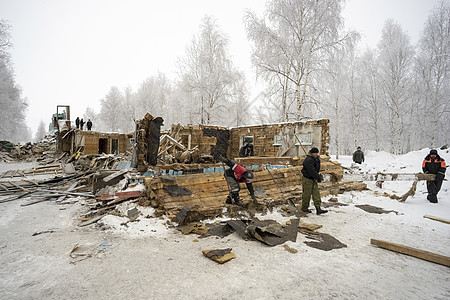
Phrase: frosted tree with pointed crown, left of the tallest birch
(207, 75)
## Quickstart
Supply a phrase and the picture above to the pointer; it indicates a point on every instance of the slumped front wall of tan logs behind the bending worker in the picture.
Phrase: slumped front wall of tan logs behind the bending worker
(209, 190)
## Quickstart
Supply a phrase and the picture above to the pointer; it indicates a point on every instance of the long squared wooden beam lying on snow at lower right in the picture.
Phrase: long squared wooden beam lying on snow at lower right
(425, 255)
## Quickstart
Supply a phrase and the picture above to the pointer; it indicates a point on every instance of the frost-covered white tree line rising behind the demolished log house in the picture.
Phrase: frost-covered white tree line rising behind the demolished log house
(392, 98)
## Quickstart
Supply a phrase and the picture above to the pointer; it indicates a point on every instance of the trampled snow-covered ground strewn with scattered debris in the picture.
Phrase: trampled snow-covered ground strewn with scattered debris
(150, 260)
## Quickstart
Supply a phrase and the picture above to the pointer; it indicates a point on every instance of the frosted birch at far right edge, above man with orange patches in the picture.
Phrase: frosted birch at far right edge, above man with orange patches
(432, 67)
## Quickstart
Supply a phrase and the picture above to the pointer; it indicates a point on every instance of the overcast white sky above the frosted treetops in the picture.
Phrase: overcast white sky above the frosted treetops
(71, 52)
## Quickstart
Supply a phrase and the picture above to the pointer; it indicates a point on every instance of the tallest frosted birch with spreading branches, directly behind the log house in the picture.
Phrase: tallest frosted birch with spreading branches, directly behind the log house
(292, 41)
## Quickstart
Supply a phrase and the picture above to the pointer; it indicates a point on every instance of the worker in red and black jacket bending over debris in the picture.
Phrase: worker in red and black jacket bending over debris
(238, 174)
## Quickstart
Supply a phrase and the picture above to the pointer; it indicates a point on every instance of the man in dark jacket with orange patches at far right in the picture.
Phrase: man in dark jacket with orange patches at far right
(434, 164)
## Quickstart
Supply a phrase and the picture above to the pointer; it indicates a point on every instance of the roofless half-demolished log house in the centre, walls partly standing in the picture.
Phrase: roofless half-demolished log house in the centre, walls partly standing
(201, 188)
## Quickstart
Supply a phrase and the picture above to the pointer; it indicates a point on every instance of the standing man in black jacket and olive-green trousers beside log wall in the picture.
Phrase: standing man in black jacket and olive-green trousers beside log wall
(311, 176)
